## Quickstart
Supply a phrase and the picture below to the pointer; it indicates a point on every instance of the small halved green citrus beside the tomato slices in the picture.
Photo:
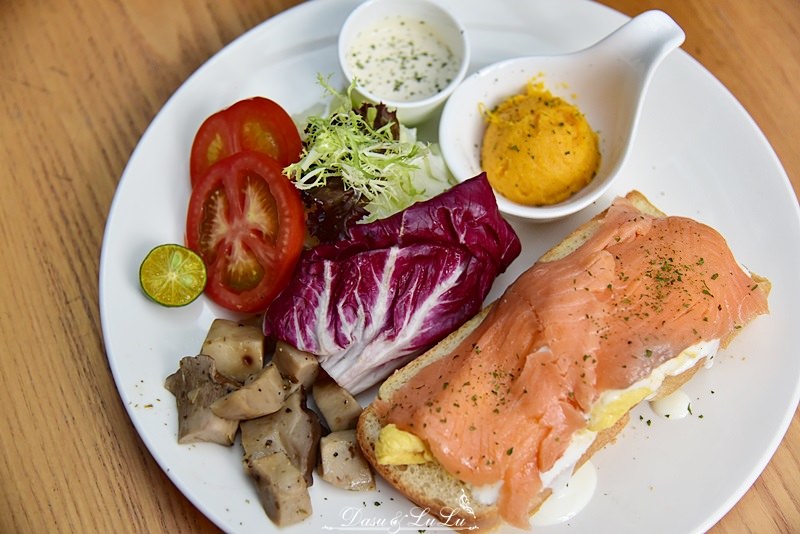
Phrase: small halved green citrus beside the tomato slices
(172, 275)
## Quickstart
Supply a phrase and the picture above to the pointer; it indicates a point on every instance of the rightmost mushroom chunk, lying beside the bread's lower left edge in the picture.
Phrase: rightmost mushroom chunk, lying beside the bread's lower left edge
(342, 464)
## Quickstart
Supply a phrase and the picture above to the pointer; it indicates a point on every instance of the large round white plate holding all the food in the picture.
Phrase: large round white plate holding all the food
(697, 153)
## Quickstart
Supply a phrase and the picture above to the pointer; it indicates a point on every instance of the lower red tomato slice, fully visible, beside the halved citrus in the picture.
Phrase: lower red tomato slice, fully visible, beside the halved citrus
(246, 221)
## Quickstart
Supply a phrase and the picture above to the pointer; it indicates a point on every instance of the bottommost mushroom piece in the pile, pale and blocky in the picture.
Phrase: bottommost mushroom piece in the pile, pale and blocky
(281, 487)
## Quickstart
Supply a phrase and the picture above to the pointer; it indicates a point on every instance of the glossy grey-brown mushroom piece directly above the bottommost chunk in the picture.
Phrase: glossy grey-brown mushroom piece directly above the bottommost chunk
(294, 429)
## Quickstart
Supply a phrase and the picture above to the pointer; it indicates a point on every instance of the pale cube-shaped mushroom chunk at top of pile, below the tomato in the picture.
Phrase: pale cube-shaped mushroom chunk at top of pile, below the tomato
(238, 348)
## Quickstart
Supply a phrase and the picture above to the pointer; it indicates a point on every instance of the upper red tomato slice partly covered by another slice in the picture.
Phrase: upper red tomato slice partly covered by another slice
(257, 124)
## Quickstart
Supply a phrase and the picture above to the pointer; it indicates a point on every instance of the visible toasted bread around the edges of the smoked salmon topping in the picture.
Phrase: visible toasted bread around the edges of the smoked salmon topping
(406, 478)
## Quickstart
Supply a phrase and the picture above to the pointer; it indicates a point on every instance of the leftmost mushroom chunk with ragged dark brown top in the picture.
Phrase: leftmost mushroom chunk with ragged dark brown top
(196, 385)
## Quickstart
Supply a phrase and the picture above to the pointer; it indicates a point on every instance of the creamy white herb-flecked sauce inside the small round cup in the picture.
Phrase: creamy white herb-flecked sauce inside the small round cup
(402, 59)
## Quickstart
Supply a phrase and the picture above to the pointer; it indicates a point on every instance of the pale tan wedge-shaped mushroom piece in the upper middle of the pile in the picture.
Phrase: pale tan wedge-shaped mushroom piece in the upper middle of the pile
(262, 393)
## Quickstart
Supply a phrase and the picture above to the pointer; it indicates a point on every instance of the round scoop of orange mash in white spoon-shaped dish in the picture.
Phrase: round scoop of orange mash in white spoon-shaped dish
(538, 149)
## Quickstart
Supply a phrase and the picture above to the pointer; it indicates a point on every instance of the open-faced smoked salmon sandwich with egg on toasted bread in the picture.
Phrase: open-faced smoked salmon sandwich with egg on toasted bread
(626, 308)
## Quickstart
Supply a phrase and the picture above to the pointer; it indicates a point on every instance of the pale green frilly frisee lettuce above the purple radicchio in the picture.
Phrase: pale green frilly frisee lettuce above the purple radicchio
(388, 174)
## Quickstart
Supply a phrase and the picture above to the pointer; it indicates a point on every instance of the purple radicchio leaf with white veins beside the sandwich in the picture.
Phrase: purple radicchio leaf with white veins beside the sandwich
(390, 289)
